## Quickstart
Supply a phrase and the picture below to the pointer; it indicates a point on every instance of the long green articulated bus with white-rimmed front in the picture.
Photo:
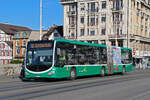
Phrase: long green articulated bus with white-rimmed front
(71, 59)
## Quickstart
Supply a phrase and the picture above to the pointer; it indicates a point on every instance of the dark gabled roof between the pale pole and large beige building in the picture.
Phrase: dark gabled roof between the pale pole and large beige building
(51, 30)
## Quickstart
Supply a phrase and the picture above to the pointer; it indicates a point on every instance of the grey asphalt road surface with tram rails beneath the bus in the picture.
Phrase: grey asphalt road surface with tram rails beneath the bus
(131, 86)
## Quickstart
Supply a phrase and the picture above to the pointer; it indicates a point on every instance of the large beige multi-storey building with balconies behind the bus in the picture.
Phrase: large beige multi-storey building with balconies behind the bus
(124, 23)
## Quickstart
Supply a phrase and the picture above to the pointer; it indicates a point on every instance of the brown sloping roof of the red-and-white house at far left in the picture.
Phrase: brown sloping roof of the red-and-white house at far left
(12, 29)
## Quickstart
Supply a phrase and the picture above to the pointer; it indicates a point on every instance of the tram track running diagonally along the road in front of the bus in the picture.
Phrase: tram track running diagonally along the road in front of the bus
(71, 87)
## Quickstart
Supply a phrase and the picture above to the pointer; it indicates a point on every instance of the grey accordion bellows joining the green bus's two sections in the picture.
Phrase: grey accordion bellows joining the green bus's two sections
(109, 60)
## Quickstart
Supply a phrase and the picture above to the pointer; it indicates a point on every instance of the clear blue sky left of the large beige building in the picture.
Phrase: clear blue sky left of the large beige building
(27, 13)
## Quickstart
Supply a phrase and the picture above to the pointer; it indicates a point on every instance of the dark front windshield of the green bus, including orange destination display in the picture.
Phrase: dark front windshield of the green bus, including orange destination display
(39, 56)
